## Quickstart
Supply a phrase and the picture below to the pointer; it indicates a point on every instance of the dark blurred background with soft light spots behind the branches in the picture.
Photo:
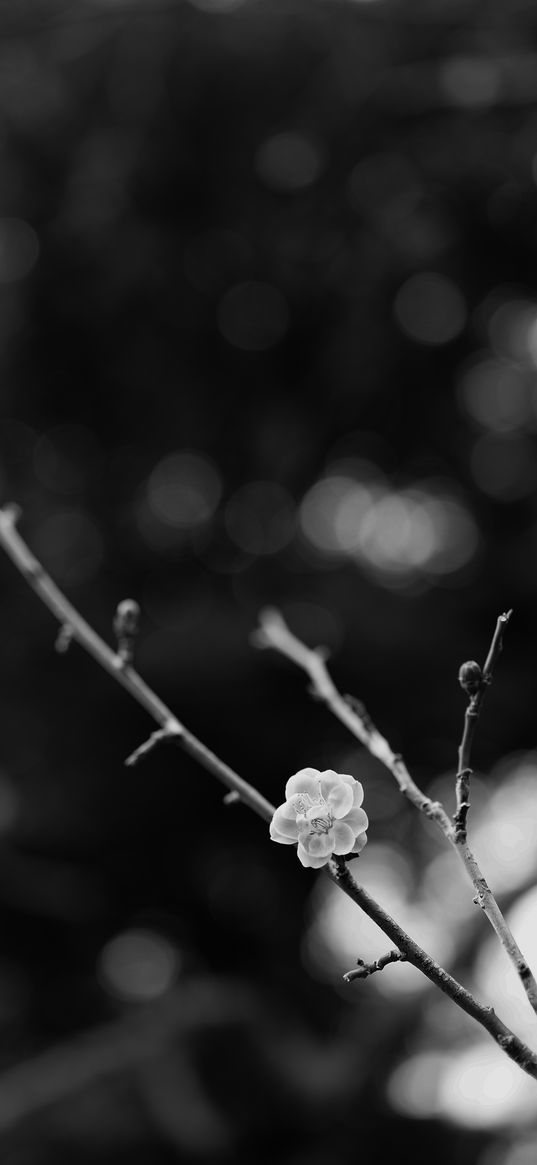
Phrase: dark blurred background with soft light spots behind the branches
(268, 336)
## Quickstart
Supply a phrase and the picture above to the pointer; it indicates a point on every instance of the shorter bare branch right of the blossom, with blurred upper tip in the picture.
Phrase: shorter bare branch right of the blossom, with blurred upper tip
(274, 633)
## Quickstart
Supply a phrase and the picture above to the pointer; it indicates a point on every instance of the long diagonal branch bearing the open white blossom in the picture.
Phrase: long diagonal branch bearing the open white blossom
(40, 582)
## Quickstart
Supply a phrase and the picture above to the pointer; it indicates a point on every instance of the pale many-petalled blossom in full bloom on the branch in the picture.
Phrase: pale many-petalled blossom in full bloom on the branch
(322, 813)
